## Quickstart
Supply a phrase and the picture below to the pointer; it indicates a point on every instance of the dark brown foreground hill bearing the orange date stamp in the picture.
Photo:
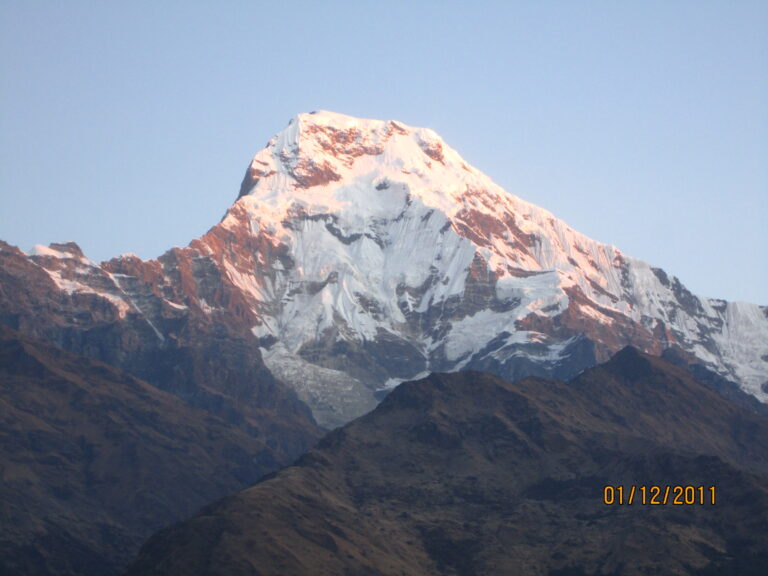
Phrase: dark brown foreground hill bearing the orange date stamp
(466, 474)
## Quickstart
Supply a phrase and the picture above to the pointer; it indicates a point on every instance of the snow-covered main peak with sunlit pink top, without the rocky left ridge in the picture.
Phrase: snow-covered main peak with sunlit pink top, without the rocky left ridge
(389, 237)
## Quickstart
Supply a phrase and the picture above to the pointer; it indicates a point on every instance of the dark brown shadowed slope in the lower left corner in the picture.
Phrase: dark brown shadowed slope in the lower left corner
(94, 460)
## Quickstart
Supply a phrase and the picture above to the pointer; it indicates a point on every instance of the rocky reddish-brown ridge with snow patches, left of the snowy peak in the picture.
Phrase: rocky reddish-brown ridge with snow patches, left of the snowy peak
(131, 322)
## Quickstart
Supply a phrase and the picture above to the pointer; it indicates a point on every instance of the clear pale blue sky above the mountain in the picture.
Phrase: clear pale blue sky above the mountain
(127, 126)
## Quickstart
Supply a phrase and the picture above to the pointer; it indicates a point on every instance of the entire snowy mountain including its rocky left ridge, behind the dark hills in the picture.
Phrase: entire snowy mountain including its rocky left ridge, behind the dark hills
(361, 253)
